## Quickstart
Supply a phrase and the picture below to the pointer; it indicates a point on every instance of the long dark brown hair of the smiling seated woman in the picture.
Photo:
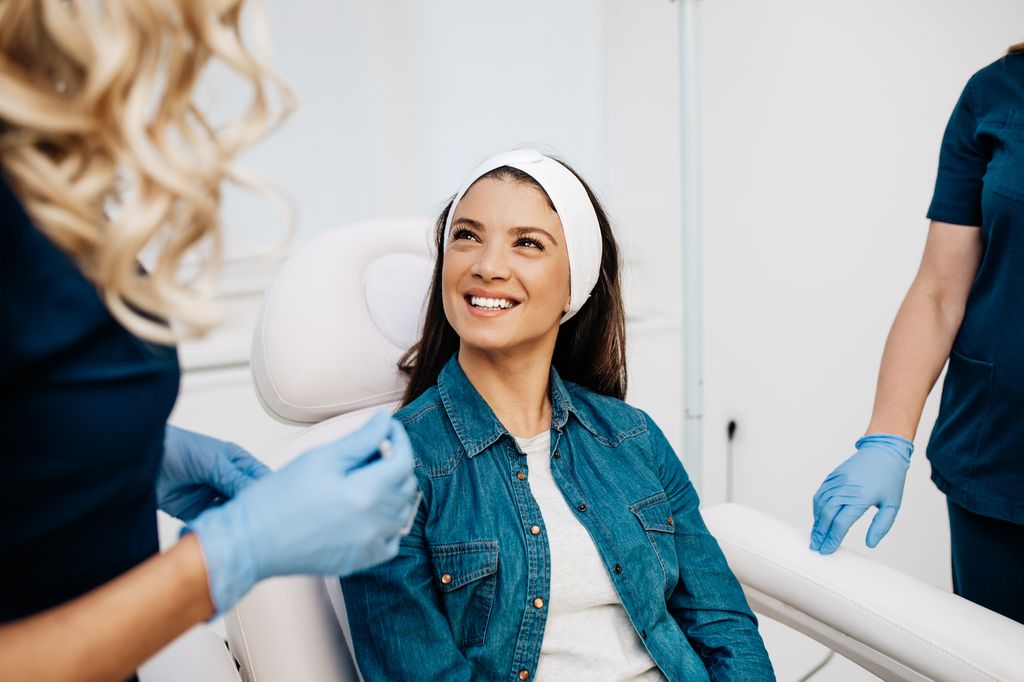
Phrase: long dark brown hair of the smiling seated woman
(591, 347)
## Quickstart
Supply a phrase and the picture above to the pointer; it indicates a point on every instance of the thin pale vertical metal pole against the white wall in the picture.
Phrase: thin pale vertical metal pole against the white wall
(693, 272)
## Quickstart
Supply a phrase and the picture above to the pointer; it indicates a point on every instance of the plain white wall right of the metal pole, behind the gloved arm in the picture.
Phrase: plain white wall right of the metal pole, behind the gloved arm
(822, 130)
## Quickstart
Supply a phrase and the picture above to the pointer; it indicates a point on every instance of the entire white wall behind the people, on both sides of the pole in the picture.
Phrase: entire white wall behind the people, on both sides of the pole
(822, 122)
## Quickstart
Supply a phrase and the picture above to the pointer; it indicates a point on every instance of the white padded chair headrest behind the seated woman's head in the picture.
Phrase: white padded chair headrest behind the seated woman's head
(340, 314)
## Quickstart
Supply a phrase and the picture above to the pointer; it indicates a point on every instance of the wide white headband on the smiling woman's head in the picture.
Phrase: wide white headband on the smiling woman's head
(583, 234)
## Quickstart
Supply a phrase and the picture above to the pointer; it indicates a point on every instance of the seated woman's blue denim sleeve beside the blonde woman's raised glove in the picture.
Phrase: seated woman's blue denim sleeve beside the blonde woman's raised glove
(399, 629)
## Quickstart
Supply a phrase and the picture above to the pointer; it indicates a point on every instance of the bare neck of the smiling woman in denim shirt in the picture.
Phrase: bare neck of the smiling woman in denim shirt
(516, 386)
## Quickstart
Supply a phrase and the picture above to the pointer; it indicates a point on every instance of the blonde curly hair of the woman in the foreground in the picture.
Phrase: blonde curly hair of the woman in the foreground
(103, 142)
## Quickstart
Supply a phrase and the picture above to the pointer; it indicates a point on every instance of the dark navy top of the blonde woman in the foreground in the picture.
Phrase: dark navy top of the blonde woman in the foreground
(81, 428)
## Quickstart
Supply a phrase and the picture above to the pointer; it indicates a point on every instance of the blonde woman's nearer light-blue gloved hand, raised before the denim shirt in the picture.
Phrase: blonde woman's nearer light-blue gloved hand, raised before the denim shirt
(330, 513)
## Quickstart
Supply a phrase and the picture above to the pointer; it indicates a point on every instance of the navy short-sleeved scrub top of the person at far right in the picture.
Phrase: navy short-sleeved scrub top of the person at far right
(977, 446)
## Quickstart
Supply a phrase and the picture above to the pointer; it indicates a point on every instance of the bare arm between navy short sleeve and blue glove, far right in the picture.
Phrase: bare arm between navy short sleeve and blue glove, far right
(926, 326)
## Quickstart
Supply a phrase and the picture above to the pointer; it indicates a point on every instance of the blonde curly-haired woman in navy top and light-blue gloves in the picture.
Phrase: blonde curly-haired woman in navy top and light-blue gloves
(104, 153)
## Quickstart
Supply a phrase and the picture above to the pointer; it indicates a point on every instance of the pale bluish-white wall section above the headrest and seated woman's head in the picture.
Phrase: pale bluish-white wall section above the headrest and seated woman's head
(400, 100)
